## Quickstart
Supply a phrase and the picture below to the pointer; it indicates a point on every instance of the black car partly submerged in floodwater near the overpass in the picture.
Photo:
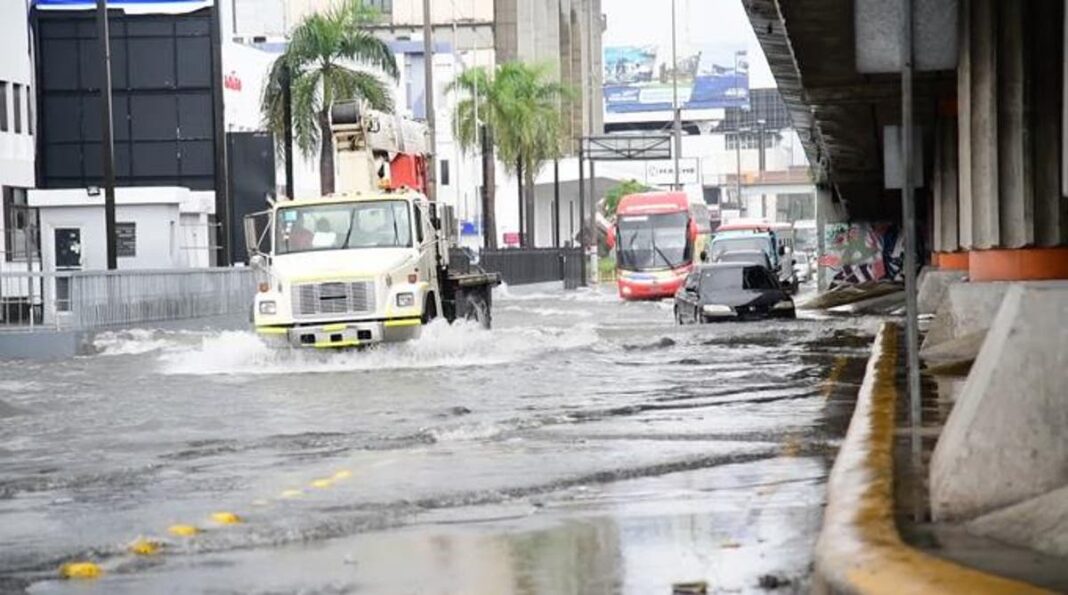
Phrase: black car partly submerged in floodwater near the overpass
(731, 292)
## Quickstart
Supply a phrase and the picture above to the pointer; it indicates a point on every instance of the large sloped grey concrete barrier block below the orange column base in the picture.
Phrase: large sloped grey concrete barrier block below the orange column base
(1004, 442)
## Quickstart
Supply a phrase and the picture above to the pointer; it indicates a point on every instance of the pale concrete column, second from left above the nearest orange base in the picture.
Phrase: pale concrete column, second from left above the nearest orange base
(984, 121)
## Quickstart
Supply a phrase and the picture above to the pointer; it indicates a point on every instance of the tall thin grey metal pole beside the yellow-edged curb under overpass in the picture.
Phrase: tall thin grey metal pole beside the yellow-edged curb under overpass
(909, 221)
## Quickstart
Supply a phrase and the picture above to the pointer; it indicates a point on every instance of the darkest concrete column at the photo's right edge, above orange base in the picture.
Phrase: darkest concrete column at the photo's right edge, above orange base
(1046, 34)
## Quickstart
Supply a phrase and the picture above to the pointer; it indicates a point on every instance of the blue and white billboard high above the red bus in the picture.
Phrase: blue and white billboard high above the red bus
(640, 79)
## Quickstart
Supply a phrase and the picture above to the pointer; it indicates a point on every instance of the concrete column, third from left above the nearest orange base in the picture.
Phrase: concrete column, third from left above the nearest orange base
(1016, 199)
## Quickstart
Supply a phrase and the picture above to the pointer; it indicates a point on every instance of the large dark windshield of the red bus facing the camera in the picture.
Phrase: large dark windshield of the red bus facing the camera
(653, 242)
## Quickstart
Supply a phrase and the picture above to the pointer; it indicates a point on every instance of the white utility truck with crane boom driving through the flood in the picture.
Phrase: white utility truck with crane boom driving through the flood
(369, 264)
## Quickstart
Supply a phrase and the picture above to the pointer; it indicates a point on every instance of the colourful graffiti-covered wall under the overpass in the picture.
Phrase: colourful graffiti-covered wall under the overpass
(858, 253)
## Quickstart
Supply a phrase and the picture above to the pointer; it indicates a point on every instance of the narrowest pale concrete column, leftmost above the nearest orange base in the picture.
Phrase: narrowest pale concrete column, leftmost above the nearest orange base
(965, 127)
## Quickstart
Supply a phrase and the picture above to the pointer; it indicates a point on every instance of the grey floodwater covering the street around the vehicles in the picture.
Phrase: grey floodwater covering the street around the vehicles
(585, 446)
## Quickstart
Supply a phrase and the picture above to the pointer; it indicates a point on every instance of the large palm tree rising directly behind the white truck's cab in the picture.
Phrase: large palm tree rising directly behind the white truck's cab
(318, 61)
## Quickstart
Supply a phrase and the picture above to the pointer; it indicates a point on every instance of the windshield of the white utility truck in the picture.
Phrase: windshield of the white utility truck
(343, 227)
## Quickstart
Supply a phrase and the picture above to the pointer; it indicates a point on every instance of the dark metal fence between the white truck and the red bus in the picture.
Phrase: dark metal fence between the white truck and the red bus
(536, 265)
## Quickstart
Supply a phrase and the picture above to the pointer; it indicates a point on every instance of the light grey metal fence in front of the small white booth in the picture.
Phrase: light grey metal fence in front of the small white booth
(101, 300)
